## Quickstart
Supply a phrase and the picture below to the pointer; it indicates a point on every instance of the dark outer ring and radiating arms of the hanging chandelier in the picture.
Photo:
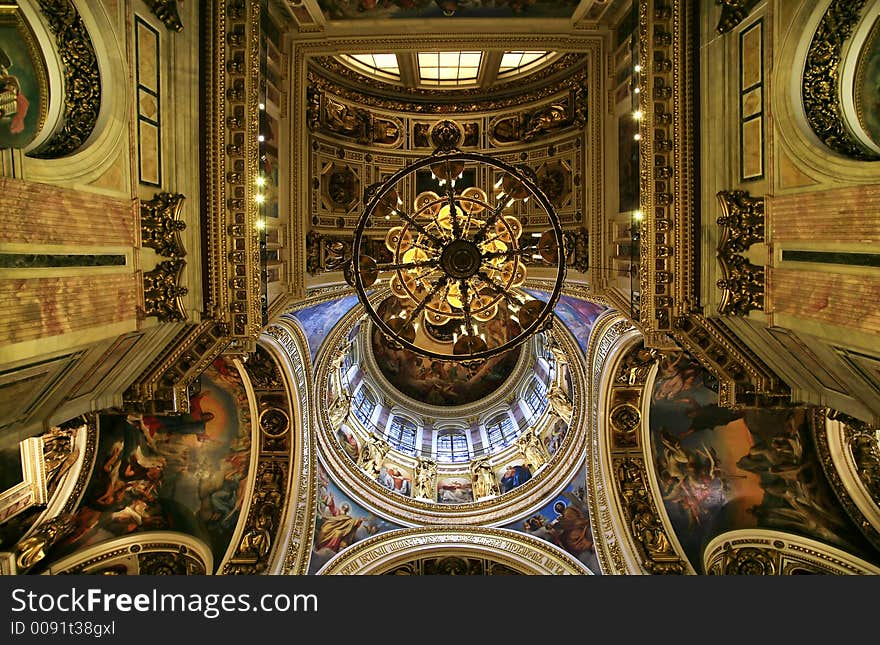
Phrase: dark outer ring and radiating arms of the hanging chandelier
(458, 253)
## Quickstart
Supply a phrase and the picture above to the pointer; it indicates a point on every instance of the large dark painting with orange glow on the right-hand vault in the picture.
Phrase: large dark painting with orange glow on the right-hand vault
(719, 469)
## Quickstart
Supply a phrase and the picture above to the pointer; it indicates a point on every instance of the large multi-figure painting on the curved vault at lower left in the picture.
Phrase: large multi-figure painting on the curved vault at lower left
(186, 473)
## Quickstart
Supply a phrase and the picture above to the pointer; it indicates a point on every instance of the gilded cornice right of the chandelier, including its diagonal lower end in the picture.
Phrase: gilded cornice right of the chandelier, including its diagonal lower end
(670, 311)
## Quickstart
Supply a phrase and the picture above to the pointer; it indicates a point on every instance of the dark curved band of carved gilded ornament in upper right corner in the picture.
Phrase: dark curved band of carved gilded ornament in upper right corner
(820, 85)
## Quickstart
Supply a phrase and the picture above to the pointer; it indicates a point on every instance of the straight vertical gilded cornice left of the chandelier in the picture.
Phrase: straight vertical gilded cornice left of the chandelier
(232, 78)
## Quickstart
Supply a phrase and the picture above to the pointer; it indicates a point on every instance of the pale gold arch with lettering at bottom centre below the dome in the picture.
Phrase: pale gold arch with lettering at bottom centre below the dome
(387, 551)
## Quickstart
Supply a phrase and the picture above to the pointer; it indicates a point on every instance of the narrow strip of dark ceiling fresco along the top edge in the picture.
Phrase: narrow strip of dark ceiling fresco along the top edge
(376, 9)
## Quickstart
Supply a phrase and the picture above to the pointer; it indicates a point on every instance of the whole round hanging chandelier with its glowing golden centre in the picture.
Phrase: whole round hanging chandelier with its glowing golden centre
(458, 259)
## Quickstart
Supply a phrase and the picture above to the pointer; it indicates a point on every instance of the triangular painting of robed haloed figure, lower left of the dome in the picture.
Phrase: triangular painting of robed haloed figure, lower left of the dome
(340, 522)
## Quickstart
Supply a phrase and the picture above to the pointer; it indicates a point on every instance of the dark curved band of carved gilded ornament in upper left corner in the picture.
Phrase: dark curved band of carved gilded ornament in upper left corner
(82, 79)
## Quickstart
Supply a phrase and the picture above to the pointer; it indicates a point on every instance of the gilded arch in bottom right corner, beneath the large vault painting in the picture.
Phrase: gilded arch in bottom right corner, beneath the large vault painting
(762, 552)
